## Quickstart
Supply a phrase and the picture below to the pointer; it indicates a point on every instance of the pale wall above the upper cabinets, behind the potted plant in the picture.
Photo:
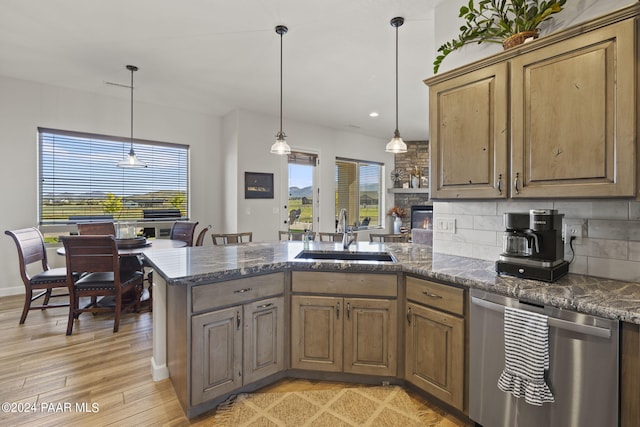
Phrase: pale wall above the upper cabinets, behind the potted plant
(447, 23)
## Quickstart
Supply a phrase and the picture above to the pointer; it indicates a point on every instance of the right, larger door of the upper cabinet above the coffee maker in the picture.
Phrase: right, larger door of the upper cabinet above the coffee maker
(573, 116)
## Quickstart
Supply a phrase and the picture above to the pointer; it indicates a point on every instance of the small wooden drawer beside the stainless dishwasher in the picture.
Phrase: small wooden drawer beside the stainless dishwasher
(436, 295)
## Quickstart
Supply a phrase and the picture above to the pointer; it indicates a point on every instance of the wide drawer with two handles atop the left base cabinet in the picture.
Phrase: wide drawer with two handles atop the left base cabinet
(214, 295)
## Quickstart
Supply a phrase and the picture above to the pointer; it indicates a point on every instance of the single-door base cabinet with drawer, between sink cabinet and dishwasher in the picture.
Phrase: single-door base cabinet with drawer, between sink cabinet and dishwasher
(435, 340)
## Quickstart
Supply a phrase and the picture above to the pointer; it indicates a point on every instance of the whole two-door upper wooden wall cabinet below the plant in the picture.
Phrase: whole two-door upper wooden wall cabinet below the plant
(554, 118)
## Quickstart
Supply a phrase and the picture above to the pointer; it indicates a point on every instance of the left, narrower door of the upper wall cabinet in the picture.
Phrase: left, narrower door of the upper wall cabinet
(469, 132)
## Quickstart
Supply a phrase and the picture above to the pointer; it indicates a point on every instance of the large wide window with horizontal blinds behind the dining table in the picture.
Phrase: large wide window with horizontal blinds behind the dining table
(79, 179)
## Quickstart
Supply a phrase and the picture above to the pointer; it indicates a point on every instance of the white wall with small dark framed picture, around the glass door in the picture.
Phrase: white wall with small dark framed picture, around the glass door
(255, 134)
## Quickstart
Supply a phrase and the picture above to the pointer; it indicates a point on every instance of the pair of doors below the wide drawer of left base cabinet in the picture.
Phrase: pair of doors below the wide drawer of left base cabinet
(235, 346)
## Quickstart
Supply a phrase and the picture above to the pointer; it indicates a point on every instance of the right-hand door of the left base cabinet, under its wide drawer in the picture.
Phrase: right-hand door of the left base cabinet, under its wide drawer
(263, 339)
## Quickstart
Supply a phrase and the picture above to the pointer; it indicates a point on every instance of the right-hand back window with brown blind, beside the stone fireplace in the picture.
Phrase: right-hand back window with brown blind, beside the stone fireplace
(358, 186)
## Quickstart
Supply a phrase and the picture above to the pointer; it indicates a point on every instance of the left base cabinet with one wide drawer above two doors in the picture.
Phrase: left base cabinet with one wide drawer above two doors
(227, 335)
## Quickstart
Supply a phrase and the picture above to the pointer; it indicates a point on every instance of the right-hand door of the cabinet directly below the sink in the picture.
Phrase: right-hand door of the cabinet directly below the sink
(370, 336)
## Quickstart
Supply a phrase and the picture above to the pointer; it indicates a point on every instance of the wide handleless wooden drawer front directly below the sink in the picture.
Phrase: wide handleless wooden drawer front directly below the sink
(380, 285)
